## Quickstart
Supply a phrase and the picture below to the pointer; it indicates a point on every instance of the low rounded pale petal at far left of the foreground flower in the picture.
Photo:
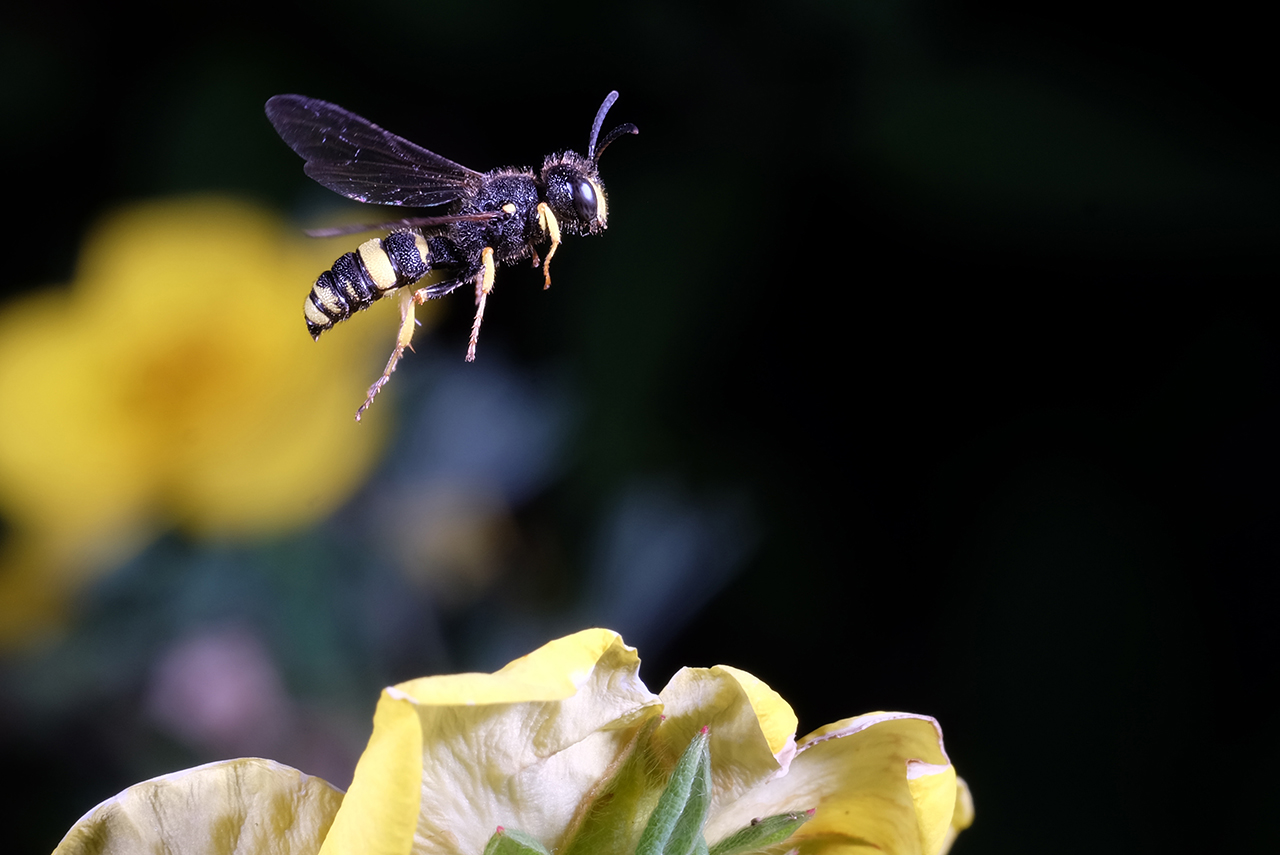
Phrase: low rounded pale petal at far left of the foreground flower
(246, 807)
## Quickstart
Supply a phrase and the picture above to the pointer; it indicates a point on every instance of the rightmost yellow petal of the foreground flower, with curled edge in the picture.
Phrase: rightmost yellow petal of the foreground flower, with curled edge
(858, 775)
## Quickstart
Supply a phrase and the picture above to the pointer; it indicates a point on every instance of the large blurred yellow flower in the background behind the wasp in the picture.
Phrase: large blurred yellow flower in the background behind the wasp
(172, 385)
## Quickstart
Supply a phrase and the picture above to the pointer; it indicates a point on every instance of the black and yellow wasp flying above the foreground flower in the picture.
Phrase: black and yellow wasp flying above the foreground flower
(492, 218)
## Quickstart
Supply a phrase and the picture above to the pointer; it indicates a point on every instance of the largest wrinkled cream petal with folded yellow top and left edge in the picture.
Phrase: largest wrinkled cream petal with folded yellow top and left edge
(455, 757)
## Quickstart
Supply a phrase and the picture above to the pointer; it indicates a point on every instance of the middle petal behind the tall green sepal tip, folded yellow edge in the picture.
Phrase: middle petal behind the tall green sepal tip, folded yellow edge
(752, 728)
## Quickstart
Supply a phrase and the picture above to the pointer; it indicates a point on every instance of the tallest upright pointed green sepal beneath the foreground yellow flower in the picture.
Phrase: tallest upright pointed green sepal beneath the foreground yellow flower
(676, 824)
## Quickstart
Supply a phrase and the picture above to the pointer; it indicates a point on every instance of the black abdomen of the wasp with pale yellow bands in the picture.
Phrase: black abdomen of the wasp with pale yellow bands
(359, 278)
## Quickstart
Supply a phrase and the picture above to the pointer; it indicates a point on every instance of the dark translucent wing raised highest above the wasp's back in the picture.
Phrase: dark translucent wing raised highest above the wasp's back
(355, 158)
